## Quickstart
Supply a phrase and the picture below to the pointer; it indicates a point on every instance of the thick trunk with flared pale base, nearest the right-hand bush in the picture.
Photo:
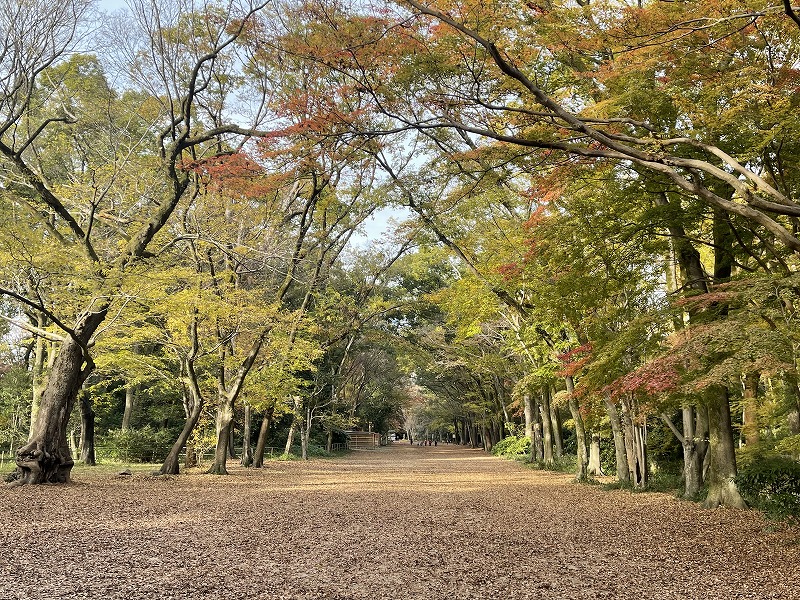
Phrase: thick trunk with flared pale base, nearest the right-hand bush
(721, 488)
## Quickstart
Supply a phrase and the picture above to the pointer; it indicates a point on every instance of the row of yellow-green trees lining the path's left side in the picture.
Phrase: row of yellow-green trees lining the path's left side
(169, 222)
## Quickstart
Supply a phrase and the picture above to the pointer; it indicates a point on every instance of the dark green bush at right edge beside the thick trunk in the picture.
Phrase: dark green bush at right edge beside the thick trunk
(772, 483)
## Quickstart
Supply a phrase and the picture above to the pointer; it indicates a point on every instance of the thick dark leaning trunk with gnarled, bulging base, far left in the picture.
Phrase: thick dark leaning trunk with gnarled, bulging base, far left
(46, 457)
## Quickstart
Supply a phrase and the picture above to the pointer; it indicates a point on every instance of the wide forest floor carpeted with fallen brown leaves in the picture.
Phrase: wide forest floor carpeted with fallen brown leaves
(403, 522)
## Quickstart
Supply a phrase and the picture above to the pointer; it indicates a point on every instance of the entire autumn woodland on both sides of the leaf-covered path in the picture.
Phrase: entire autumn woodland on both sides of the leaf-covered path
(592, 250)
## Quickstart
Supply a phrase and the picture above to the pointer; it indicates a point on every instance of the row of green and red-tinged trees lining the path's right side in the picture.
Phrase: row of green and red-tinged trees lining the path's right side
(618, 184)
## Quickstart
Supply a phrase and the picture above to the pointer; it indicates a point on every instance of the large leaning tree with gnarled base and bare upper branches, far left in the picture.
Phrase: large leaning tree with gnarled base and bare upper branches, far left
(105, 229)
